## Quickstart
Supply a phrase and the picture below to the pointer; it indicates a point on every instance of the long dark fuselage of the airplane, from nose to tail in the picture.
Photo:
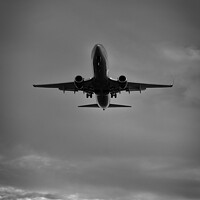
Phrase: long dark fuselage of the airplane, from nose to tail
(100, 68)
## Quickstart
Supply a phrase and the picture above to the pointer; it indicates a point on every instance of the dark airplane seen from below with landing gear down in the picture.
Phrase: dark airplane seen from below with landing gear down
(101, 85)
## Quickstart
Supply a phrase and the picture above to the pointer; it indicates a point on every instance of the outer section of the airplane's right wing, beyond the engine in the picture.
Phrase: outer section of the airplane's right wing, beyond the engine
(132, 86)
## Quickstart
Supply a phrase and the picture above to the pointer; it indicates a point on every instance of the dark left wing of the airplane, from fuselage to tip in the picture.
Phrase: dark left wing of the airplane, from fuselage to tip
(69, 86)
